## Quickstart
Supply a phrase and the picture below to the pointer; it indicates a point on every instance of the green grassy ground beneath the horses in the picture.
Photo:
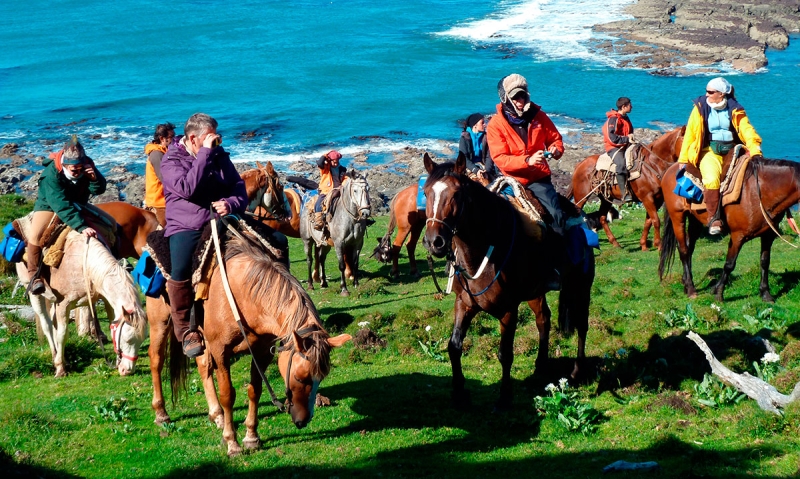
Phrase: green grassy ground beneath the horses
(391, 415)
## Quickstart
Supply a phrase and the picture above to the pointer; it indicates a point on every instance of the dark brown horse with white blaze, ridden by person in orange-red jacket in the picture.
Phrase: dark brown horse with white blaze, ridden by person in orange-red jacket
(497, 267)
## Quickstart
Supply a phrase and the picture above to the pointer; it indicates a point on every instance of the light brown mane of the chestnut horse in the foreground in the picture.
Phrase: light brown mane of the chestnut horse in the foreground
(272, 286)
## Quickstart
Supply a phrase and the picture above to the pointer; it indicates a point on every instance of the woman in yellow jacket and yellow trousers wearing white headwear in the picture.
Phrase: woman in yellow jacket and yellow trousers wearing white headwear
(717, 123)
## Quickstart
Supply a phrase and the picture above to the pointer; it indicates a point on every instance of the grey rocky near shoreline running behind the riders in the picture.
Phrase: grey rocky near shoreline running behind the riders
(20, 170)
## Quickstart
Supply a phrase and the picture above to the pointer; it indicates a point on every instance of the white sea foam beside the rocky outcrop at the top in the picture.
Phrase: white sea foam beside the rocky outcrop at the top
(551, 29)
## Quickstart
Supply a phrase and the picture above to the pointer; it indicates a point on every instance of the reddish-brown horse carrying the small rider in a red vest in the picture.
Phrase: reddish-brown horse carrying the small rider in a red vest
(656, 157)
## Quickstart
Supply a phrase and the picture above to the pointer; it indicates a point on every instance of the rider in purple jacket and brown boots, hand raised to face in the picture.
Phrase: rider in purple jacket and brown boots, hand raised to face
(198, 175)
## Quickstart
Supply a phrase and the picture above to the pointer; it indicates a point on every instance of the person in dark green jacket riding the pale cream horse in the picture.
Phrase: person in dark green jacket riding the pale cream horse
(68, 179)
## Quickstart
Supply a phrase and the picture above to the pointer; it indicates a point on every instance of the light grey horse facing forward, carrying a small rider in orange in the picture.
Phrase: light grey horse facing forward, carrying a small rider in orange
(347, 229)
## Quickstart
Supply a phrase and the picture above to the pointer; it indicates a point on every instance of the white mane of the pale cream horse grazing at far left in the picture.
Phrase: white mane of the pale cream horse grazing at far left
(101, 266)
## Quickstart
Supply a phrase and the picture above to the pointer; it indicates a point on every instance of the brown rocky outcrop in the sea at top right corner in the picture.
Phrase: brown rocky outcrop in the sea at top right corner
(670, 37)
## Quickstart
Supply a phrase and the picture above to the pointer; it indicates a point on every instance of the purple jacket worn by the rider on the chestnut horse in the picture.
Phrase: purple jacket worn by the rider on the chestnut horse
(191, 184)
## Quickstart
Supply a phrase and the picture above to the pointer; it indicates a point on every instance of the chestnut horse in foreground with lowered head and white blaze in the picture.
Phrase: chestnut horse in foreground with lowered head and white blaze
(273, 306)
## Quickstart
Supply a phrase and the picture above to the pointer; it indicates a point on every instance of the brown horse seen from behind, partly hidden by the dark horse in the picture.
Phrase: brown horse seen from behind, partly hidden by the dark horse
(408, 219)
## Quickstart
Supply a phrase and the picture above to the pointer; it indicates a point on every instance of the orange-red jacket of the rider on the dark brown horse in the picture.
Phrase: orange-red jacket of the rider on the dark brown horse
(509, 151)
